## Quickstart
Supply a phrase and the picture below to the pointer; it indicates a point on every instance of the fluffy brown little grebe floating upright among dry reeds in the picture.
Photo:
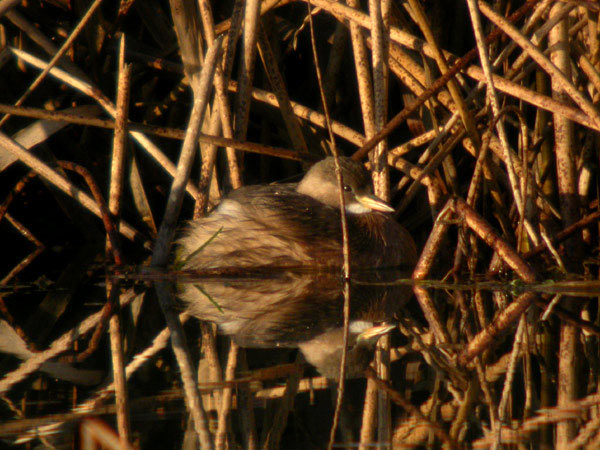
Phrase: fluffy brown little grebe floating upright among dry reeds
(298, 225)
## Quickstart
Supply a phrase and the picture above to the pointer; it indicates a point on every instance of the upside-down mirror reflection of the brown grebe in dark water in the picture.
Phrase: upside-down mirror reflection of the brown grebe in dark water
(300, 309)
